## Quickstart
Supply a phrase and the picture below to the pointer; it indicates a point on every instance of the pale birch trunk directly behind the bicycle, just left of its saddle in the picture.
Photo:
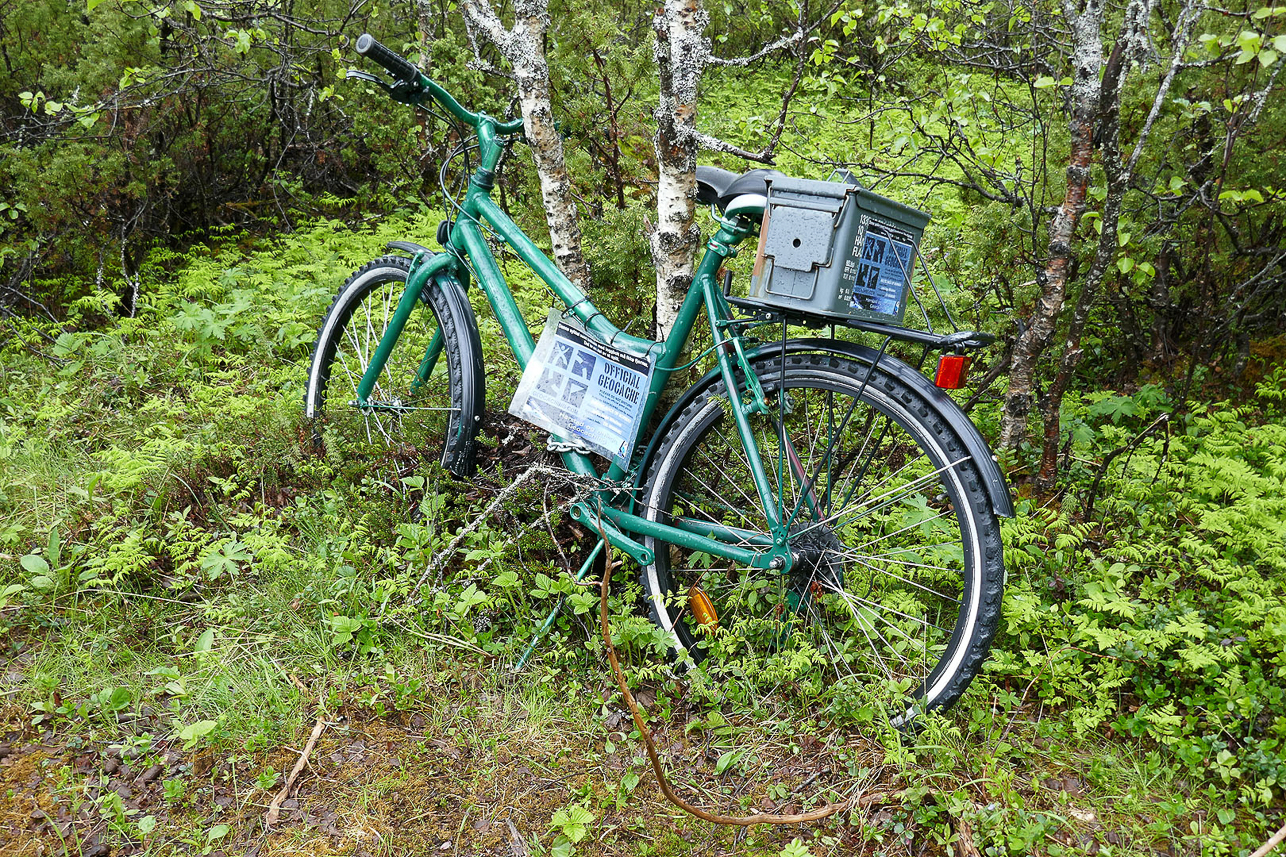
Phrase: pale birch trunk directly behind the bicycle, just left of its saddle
(682, 55)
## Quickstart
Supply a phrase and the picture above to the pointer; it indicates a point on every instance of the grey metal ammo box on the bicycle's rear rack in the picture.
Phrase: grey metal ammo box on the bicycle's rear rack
(837, 252)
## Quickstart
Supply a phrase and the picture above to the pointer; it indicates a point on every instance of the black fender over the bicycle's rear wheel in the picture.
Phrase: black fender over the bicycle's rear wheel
(993, 481)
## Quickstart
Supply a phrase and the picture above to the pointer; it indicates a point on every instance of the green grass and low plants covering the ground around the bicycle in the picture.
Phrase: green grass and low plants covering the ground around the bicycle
(179, 562)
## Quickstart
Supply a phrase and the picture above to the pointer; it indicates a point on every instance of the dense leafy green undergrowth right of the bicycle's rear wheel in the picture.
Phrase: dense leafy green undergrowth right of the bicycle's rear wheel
(1163, 617)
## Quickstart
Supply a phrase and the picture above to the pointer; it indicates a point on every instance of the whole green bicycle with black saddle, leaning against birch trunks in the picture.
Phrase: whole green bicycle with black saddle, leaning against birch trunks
(838, 506)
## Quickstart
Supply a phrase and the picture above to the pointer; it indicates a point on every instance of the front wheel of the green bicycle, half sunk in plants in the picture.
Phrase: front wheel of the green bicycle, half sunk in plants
(437, 418)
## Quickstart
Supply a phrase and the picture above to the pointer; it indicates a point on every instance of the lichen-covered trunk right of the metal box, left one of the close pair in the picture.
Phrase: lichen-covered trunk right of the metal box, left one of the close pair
(1086, 60)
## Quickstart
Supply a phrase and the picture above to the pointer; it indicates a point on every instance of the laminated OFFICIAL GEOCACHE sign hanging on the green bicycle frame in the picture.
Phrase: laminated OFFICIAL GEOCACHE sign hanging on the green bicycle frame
(578, 388)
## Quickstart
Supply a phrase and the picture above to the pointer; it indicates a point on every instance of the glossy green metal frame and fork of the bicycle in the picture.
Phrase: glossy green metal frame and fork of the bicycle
(469, 250)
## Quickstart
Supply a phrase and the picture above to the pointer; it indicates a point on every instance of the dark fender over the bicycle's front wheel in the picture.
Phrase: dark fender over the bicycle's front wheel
(460, 454)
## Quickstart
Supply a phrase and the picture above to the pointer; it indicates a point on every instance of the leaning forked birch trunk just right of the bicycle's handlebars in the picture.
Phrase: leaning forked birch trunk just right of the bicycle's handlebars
(524, 48)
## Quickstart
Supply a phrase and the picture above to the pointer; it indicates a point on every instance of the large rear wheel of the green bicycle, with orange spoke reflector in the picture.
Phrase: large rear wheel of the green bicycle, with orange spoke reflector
(896, 475)
